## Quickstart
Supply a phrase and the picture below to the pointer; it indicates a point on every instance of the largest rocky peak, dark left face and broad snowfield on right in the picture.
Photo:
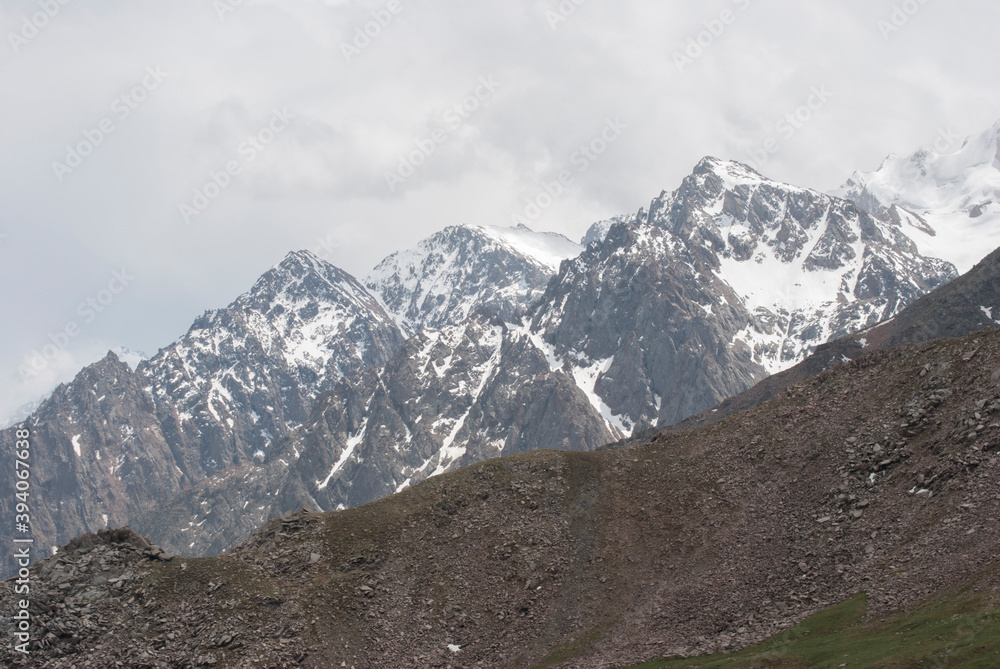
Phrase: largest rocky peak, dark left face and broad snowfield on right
(719, 283)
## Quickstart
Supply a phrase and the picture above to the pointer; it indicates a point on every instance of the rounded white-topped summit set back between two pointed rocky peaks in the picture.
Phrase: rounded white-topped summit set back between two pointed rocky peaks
(462, 269)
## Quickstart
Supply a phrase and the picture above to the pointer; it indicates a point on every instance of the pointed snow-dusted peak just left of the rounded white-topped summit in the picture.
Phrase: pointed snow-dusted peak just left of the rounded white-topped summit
(256, 366)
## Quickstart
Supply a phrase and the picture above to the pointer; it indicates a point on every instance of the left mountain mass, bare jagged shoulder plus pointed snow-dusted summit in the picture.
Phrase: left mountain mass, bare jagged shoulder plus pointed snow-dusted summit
(113, 442)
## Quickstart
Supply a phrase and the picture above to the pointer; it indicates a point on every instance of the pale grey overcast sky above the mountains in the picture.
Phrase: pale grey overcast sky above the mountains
(493, 99)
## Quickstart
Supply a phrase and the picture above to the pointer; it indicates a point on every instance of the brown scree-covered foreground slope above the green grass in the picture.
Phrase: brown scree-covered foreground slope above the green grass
(878, 476)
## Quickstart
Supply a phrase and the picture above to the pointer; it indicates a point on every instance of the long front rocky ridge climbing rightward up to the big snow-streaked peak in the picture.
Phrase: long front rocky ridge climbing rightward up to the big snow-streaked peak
(640, 330)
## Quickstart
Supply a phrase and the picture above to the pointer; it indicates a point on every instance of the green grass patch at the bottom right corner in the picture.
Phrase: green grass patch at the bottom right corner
(960, 630)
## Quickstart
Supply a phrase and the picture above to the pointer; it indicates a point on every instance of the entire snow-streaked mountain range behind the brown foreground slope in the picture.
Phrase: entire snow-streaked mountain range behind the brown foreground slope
(318, 388)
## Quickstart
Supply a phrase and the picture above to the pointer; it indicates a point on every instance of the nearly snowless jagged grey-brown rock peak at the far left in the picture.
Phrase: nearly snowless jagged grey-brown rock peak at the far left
(98, 456)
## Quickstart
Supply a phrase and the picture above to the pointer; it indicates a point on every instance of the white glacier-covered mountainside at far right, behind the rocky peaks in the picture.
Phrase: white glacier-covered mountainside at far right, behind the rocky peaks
(945, 197)
